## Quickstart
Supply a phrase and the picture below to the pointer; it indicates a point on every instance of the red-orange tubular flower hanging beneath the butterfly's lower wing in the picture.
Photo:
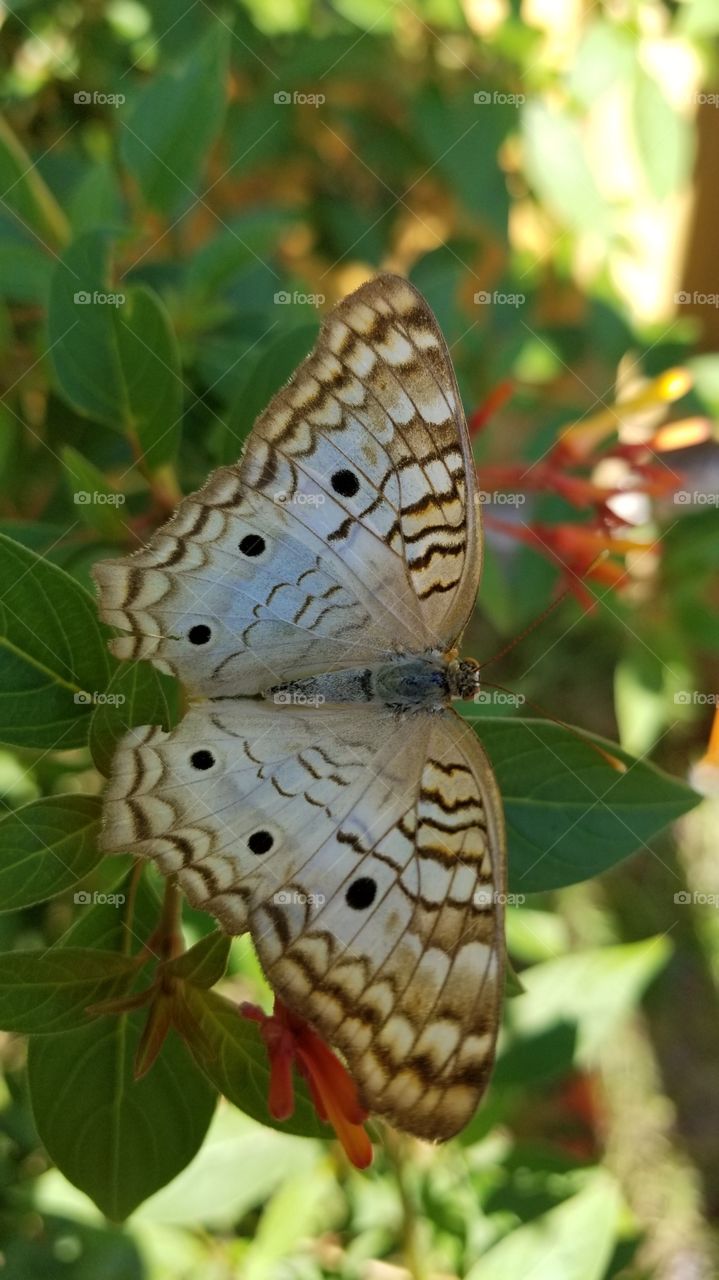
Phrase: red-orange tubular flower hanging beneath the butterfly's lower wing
(290, 1043)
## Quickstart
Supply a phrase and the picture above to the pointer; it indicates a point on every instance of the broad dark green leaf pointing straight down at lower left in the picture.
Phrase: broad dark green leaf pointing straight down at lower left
(117, 1139)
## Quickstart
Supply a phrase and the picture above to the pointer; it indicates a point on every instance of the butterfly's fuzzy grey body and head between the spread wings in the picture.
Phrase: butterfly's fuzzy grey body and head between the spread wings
(407, 682)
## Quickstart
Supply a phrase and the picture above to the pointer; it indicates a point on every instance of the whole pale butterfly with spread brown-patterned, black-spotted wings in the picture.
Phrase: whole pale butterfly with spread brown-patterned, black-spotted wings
(320, 792)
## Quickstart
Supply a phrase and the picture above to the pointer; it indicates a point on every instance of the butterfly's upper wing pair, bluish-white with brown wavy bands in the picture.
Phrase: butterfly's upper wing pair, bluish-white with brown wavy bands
(347, 533)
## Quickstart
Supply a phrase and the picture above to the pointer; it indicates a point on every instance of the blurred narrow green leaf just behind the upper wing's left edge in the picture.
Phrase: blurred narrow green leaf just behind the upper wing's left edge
(264, 377)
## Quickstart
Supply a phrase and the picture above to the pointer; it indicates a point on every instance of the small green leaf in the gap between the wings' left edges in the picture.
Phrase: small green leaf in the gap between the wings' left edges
(138, 694)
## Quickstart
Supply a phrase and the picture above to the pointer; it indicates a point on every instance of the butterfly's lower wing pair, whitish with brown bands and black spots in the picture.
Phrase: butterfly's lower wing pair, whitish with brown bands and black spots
(365, 854)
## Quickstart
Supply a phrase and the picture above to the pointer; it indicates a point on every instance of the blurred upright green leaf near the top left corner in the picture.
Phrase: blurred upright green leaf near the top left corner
(175, 122)
